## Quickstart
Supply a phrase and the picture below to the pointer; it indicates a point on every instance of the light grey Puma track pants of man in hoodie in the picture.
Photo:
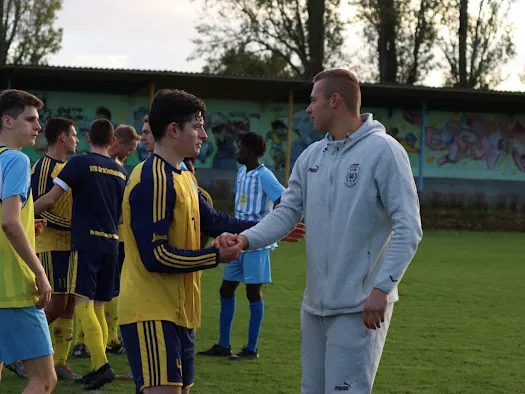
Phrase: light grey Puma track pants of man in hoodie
(339, 354)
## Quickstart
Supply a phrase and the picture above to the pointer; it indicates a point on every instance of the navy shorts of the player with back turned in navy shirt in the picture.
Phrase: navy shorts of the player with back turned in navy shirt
(92, 274)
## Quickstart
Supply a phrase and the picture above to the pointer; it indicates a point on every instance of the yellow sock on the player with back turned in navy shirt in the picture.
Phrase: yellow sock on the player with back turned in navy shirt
(93, 336)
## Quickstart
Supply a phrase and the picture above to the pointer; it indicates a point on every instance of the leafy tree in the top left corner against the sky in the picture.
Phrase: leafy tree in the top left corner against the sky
(27, 31)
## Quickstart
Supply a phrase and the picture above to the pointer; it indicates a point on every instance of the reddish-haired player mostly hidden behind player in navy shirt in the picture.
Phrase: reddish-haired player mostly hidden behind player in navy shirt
(125, 145)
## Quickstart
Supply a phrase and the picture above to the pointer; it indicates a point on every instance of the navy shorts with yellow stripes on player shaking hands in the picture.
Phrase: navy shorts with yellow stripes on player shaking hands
(160, 353)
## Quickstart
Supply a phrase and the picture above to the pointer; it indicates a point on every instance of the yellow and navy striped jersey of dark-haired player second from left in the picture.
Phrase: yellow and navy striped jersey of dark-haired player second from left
(56, 236)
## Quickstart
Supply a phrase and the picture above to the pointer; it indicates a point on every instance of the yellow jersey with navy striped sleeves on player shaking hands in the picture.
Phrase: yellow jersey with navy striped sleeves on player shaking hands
(164, 215)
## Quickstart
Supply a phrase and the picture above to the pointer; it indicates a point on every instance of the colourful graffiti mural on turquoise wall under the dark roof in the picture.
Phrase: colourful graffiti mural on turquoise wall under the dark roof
(457, 145)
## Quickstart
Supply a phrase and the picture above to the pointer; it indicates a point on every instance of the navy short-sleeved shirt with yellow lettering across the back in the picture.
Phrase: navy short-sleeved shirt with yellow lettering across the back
(97, 183)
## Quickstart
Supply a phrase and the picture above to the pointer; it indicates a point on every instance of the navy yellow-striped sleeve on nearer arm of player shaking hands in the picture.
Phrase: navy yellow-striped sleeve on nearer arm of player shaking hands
(151, 210)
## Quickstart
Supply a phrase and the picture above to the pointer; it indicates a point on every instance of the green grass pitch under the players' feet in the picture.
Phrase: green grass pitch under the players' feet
(458, 327)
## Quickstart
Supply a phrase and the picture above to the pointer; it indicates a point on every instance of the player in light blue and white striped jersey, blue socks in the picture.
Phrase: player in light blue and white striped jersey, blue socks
(256, 192)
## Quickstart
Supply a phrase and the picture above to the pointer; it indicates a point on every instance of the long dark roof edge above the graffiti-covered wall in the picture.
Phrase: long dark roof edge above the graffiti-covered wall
(261, 89)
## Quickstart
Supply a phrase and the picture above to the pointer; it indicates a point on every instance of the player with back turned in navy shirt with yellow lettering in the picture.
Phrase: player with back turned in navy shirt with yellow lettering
(97, 182)
